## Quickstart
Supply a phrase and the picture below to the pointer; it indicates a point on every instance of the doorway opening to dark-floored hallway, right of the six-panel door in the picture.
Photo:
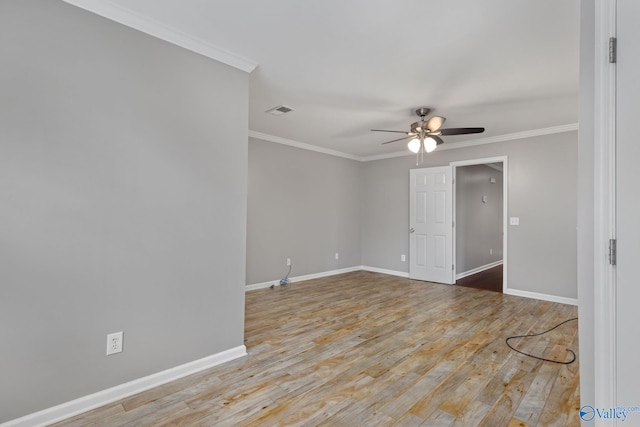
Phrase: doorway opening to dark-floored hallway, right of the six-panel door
(480, 232)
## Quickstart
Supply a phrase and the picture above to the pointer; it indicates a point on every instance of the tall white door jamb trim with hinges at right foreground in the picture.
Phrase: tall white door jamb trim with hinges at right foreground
(604, 334)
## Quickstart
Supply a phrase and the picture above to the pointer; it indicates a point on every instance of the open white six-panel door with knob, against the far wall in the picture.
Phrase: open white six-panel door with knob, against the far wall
(431, 224)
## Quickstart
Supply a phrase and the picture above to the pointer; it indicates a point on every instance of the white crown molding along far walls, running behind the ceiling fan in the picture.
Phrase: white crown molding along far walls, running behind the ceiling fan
(451, 146)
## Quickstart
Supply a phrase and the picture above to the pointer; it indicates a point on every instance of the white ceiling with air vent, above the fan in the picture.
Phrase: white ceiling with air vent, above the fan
(347, 66)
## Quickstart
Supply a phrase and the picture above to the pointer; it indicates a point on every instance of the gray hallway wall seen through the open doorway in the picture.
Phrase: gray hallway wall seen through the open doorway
(479, 225)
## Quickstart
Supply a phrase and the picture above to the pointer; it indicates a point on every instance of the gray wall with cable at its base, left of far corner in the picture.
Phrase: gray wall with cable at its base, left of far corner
(304, 206)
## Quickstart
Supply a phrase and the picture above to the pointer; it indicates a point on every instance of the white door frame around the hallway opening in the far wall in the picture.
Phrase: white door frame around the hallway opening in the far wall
(505, 208)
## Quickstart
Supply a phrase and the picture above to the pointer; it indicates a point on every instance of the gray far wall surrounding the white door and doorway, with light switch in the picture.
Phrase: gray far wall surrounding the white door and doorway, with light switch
(542, 192)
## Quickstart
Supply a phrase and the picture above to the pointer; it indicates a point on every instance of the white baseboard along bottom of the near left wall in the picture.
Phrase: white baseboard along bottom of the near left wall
(113, 394)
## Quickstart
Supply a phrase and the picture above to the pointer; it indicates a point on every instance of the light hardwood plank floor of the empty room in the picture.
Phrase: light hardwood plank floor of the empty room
(367, 349)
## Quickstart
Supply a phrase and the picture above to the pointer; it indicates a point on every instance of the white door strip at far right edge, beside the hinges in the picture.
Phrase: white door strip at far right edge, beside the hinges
(627, 204)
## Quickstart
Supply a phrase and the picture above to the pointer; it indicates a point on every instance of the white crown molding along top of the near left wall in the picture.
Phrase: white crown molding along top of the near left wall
(150, 26)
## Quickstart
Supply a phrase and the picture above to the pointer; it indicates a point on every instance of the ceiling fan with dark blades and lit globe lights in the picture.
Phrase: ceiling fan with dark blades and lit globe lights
(425, 134)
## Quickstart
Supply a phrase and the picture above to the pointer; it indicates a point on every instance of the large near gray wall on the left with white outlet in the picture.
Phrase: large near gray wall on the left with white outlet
(123, 164)
